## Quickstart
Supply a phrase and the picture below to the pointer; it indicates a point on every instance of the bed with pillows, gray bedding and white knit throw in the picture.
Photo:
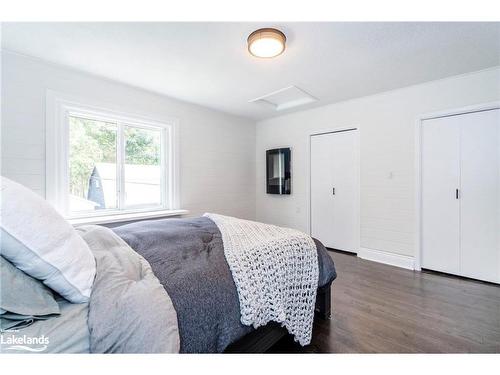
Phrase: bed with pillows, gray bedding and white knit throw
(159, 286)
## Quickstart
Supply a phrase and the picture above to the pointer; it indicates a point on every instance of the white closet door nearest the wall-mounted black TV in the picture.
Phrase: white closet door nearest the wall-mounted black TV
(334, 213)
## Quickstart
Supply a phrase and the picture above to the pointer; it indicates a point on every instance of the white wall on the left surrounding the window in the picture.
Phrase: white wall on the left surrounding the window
(217, 151)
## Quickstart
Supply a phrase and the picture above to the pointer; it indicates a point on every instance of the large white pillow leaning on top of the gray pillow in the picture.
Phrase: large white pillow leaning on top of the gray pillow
(40, 242)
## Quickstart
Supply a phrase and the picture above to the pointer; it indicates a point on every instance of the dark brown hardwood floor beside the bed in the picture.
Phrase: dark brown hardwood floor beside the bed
(384, 309)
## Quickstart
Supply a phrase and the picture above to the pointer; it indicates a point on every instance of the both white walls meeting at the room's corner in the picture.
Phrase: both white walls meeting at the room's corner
(217, 151)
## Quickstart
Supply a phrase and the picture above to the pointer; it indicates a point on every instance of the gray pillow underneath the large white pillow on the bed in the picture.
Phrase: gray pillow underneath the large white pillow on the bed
(23, 295)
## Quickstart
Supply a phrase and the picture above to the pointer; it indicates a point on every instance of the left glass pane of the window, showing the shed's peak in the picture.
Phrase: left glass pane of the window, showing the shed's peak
(92, 165)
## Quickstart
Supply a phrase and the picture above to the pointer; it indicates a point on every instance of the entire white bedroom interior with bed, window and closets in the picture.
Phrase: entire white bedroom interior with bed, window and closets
(263, 187)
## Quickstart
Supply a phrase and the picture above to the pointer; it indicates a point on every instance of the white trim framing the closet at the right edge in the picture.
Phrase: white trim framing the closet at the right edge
(418, 164)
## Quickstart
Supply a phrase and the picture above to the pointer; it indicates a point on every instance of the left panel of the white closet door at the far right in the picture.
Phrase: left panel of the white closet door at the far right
(440, 206)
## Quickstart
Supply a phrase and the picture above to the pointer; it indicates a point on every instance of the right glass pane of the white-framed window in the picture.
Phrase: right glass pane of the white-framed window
(142, 167)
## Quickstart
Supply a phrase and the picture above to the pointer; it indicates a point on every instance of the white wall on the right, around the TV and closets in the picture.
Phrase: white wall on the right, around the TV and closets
(387, 139)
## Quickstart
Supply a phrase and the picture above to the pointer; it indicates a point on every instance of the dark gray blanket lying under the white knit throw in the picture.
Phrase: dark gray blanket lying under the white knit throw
(187, 256)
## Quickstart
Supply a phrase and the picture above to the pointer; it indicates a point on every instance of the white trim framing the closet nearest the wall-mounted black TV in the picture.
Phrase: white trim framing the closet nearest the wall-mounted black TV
(356, 131)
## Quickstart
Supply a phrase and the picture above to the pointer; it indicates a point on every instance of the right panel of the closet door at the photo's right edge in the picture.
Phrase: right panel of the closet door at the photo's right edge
(480, 194)
